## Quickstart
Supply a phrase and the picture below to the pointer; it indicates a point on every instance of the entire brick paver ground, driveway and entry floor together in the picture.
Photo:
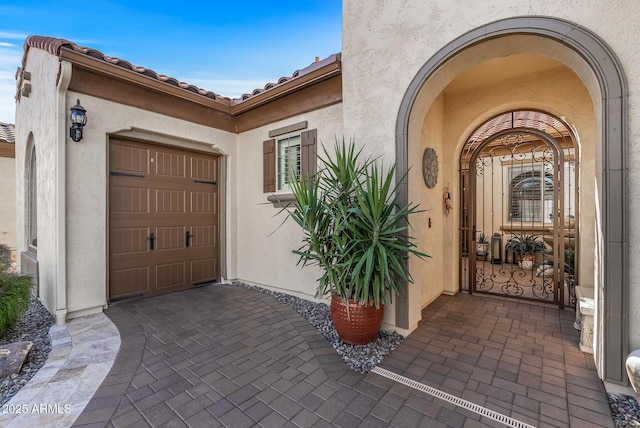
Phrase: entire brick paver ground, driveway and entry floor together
(227, 356)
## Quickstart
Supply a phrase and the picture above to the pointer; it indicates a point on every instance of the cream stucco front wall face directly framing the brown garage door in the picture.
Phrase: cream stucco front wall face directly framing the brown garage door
(87, 209)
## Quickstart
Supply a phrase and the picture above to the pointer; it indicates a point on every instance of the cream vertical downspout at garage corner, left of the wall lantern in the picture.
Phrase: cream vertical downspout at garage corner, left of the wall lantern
(64, 77)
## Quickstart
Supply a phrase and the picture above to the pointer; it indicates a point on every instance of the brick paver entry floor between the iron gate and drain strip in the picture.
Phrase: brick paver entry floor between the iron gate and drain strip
(514, 357)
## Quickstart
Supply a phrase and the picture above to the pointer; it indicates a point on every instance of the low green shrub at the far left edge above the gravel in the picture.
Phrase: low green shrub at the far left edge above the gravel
(14, 291)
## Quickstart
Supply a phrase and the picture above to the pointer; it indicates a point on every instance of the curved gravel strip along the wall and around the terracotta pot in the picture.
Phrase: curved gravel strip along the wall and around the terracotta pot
(361, 358)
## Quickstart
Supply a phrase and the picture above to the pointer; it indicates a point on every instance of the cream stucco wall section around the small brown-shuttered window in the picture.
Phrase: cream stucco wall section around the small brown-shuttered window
(265, 244)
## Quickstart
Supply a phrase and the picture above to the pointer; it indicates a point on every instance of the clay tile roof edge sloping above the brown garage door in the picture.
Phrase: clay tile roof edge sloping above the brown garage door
(53, 46)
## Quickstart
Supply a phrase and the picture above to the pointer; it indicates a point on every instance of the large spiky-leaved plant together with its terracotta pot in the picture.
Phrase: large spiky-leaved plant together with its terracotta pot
(355, 231)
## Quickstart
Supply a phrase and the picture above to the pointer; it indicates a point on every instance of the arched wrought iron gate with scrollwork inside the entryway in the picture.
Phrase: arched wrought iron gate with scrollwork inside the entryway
(518, 230)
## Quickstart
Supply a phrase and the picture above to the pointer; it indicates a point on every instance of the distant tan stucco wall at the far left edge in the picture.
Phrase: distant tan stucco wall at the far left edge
(8, 202)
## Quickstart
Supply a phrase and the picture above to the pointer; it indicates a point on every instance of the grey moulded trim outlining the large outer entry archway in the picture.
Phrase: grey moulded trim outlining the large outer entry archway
(613, 202)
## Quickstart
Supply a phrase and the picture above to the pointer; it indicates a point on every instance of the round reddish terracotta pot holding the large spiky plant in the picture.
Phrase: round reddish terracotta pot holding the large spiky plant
(362, 323)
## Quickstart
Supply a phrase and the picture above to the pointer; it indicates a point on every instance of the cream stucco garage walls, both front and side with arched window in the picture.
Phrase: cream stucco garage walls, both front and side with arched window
(73, 211)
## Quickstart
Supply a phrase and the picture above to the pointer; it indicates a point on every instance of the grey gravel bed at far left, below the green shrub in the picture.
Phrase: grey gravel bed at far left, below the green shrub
(33, 326)
